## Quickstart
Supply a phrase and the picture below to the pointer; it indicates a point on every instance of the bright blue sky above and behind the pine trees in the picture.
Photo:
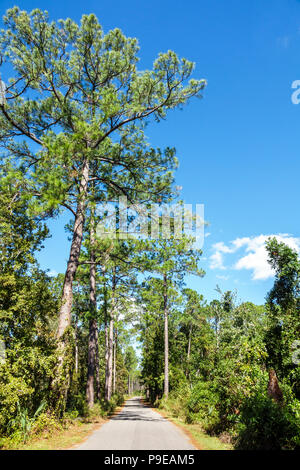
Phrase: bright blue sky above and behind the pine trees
(238, 146)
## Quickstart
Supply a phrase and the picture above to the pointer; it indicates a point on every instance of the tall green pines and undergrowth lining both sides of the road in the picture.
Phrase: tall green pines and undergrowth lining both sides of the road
(122, 319)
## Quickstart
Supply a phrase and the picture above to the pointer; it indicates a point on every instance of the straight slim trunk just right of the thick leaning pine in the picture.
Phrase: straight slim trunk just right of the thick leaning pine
(93, 327)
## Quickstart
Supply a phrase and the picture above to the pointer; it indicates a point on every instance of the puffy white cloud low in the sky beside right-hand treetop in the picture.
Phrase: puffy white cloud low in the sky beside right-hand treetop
(255, 256)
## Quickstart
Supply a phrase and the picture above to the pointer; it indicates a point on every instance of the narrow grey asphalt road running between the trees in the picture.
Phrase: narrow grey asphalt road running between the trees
(137, 427)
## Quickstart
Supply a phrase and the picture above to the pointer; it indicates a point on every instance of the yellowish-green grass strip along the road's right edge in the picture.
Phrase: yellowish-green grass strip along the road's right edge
(198, 437)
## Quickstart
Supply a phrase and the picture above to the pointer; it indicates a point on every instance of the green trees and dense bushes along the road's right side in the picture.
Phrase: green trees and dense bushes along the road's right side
(233, 366)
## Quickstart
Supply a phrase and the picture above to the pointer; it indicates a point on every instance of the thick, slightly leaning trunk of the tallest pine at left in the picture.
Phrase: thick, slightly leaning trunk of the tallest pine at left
(61, 381)
